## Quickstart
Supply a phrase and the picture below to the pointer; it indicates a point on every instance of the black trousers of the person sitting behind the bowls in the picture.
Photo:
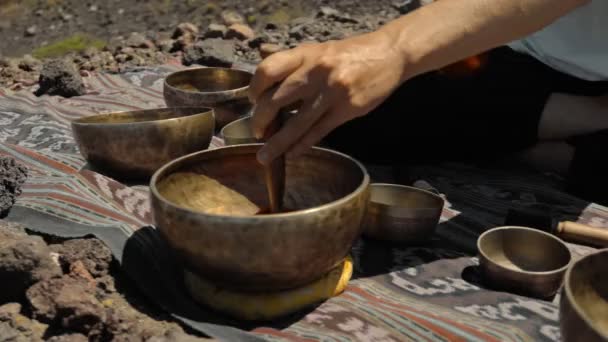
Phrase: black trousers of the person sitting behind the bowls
(482, 116)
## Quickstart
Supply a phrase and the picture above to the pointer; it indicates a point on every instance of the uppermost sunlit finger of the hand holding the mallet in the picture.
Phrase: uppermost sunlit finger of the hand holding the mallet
(274, 69)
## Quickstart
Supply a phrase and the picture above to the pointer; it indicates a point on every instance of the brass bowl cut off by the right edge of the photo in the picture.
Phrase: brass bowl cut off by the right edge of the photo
(584, 299)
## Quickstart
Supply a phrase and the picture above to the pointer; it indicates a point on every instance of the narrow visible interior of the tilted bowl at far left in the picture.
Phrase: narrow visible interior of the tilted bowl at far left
(141, 116)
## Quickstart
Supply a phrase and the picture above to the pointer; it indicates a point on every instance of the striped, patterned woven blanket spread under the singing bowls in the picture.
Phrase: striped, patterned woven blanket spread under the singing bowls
(431, 292)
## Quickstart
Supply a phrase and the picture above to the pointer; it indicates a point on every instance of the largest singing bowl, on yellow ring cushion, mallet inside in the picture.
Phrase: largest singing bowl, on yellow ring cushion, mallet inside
(325, 200)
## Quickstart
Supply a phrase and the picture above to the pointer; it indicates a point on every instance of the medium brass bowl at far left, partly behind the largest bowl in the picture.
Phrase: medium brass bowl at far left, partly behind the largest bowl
(134, 144)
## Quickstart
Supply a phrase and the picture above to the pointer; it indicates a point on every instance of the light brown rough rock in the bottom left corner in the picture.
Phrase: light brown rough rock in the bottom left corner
(14, 326)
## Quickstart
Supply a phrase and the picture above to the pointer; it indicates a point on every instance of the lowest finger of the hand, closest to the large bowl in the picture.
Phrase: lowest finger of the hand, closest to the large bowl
(294, 129)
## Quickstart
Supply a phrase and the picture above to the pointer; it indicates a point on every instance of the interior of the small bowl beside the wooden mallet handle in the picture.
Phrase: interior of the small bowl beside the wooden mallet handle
(524, 250)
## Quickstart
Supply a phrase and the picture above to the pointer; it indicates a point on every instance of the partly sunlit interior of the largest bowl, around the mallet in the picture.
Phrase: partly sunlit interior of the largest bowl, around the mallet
(229, 181)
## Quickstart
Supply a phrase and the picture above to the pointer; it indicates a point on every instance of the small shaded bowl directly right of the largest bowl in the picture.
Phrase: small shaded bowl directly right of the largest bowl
(403, 214)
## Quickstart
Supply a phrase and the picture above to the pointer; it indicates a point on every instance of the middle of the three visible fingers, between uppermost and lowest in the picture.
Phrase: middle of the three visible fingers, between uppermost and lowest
(294, 89)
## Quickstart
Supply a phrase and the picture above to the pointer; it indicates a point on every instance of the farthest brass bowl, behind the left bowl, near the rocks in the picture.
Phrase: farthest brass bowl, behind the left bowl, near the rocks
(223, 89)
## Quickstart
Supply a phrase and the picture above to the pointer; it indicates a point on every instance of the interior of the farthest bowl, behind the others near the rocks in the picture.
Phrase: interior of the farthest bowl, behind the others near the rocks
(209, 79)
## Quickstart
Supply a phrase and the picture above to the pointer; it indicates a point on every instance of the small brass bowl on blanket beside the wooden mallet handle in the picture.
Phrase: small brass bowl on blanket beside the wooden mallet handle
(523, 260)
